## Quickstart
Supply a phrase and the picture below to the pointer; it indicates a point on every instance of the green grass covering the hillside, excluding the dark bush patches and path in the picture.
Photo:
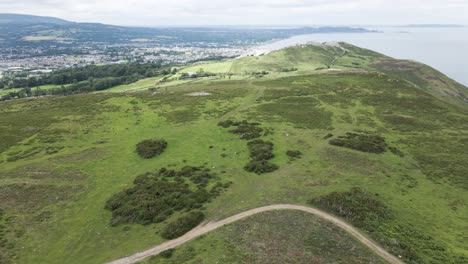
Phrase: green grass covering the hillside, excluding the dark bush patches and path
(62, 158)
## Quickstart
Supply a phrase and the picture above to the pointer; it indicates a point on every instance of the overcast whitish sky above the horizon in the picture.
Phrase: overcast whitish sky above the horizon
(246, 12)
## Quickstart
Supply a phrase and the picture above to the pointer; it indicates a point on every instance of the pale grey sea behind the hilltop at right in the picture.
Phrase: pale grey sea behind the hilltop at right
(445, 49)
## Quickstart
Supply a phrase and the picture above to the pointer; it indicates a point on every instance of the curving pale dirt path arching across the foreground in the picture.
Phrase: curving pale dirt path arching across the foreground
(210, 226)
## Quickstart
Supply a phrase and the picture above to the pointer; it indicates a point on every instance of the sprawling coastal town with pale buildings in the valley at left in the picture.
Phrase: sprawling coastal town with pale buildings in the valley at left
(27, 61)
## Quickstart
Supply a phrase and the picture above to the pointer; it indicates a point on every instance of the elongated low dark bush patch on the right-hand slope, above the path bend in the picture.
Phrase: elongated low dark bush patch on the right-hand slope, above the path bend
(362, 142)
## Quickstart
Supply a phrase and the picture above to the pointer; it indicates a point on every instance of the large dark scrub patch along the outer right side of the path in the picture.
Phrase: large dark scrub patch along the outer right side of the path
(366, 211)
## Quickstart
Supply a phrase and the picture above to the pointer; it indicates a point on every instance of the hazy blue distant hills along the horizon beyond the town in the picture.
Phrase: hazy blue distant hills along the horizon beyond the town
(21, 30)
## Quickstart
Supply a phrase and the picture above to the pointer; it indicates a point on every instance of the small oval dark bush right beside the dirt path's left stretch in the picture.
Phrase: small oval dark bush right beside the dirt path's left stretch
(182, 225)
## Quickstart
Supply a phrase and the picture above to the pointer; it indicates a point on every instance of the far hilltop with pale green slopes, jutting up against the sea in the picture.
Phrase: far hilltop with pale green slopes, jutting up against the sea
(331, 57)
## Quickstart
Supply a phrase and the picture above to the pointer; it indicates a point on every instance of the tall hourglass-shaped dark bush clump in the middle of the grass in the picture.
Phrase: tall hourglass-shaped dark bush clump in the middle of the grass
(260, 153)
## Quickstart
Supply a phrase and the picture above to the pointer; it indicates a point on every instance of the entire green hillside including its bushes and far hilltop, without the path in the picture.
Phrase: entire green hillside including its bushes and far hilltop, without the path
(381, 146)
